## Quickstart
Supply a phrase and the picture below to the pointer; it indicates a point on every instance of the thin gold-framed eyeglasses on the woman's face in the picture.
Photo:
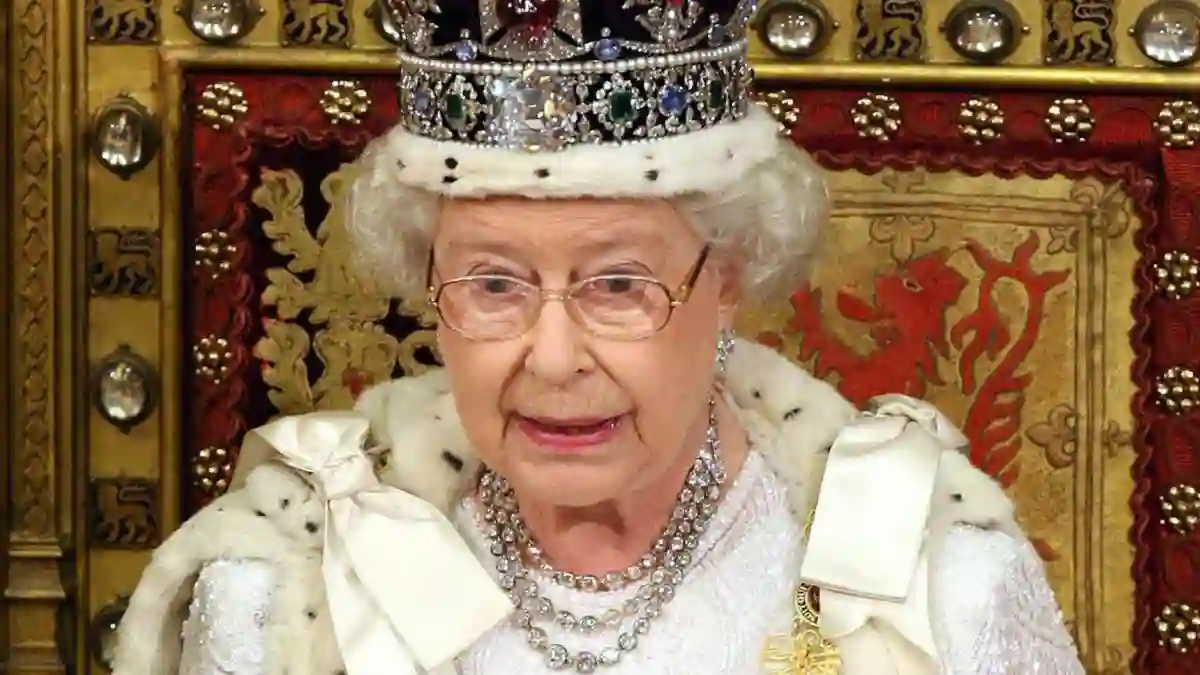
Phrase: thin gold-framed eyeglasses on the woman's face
(616, 307)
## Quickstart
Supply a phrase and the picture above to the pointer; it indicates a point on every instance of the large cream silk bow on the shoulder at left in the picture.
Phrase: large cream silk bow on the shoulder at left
(405, 593)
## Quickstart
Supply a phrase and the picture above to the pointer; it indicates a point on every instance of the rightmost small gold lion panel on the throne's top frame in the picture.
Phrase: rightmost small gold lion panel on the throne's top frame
(1079, 32)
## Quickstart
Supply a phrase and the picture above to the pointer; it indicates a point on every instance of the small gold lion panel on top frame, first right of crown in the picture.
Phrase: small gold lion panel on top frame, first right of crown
(890, 31)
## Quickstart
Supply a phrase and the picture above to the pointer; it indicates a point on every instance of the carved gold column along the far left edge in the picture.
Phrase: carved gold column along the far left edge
(44, 333)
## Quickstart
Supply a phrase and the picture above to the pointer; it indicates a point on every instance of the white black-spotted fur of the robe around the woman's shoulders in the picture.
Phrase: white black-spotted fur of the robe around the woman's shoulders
(791, 417)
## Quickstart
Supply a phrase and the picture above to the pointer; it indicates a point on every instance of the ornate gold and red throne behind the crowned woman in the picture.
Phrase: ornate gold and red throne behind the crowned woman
(1013, 240)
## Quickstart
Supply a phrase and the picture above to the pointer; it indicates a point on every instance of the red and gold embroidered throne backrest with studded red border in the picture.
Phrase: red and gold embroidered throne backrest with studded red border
(1005, 258)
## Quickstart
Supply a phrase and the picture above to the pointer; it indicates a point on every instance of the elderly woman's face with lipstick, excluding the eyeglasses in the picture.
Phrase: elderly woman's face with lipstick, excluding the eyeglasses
(569, 419)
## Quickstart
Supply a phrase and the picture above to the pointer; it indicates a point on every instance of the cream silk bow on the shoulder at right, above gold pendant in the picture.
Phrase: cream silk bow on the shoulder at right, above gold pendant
(866, 547)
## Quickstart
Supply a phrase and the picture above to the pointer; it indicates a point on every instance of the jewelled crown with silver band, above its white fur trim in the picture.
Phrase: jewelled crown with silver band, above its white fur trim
(547, 75)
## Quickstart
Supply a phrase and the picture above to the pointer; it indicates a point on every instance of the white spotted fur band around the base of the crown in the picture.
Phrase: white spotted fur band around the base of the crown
(703, 162)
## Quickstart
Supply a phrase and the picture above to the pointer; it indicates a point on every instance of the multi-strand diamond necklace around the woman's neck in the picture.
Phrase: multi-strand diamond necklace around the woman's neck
(657, 575)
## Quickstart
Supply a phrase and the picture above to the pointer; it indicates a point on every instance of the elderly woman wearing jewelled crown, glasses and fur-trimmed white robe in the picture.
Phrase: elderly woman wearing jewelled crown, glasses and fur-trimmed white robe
(602, 479)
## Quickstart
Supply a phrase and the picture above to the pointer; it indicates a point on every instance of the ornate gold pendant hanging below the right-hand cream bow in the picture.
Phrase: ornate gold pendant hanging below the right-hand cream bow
(805, 652)
